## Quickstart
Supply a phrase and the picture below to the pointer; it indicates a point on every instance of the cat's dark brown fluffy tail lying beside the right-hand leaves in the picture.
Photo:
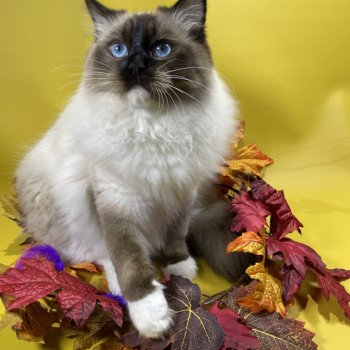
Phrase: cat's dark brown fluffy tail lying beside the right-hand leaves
(208, 237)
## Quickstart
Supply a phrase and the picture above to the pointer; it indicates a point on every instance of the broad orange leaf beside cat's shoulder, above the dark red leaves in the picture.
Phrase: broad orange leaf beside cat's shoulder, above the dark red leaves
(249, 160)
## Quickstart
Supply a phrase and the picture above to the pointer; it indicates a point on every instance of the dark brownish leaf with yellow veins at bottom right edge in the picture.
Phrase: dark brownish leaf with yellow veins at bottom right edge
(273, 332)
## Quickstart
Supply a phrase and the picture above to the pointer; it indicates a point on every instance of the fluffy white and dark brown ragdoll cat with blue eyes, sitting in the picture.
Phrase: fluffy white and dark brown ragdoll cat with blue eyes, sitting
(125, 173)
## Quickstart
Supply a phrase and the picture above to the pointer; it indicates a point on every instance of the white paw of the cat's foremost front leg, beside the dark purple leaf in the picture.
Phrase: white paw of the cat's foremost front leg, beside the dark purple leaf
(151, 315)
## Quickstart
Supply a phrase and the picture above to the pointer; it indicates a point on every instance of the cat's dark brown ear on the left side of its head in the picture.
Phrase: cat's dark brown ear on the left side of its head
(100, 14)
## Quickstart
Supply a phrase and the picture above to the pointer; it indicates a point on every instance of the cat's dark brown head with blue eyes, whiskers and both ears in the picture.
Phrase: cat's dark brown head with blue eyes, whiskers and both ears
(164, 52)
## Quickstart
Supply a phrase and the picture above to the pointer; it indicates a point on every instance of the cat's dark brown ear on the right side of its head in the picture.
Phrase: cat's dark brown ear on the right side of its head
(192, 15)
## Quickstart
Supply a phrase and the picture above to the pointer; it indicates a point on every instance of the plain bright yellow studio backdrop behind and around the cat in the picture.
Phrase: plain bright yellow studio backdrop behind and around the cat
(288, 62)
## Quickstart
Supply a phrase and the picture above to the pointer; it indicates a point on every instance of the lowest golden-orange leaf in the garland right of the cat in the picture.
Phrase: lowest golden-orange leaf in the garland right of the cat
(268, 293)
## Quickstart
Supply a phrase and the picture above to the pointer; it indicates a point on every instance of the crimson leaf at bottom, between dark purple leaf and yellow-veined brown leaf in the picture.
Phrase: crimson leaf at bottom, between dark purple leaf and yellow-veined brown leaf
(237, 335)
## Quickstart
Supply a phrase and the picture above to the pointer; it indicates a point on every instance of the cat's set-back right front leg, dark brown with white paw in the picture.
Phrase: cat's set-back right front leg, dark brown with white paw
(175, 256)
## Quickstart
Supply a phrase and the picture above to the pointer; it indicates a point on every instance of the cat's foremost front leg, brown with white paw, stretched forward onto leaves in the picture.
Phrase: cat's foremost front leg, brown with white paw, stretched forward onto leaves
(148, 308)
